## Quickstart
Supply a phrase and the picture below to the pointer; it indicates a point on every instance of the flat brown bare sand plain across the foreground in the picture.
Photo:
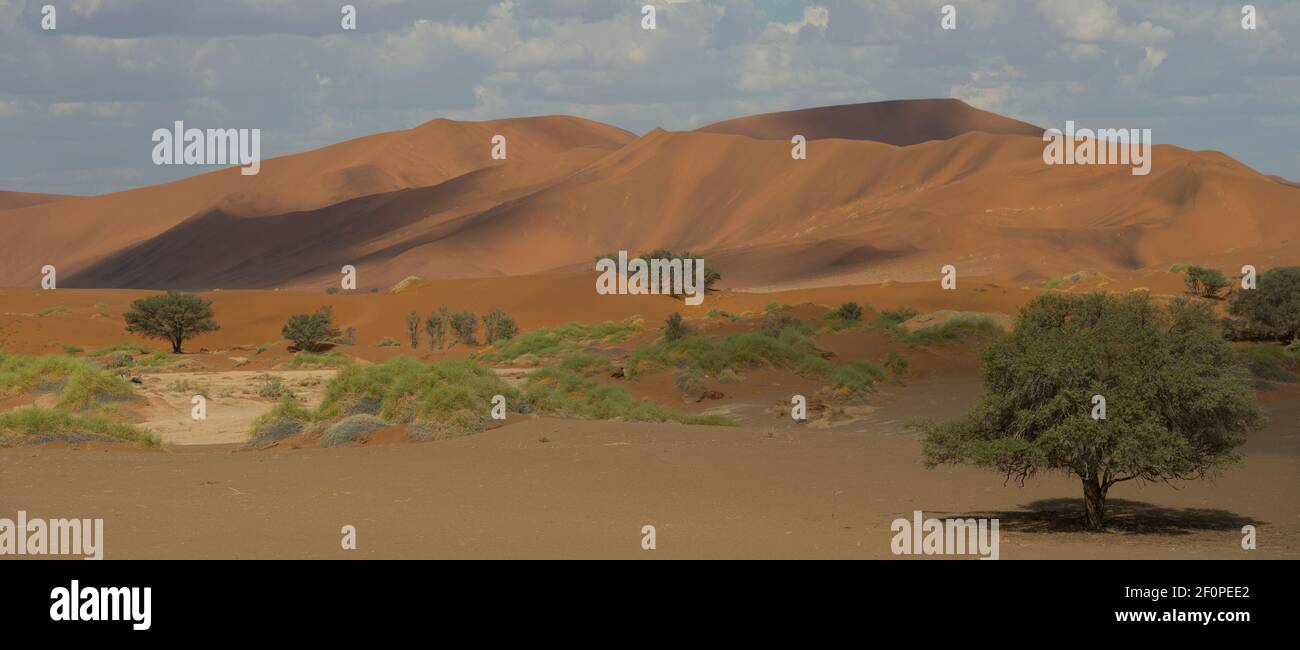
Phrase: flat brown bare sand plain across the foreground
(755, 492)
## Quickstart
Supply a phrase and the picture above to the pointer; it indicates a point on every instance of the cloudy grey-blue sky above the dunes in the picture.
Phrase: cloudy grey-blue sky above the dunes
(79, 105)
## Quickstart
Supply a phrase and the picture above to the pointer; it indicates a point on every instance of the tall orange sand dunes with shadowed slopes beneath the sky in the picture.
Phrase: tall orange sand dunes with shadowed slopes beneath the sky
(967, 189)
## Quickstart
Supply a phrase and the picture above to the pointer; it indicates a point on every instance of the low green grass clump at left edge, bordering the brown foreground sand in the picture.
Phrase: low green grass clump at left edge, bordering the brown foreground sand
(37, 426)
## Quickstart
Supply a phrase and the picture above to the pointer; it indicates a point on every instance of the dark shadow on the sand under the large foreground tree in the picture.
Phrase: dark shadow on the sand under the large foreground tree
(1064, 515)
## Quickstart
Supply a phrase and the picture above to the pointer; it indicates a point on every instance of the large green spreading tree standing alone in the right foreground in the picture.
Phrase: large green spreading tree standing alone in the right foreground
(1177, 397)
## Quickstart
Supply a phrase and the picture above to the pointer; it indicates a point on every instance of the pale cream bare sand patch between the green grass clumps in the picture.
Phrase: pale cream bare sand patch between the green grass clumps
(232, 402)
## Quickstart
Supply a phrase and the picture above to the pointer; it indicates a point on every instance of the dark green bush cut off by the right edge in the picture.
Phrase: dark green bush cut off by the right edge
(1272, 310)
